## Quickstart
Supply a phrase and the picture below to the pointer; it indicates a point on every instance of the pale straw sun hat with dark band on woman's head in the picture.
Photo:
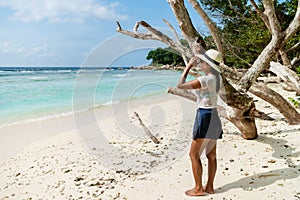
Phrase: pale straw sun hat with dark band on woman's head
(211, 57)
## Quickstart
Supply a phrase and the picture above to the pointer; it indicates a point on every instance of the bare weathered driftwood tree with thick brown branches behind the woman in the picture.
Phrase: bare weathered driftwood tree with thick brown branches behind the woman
(241, 109)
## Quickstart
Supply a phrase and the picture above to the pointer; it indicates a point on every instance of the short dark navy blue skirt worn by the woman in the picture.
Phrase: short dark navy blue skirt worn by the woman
(207, 124)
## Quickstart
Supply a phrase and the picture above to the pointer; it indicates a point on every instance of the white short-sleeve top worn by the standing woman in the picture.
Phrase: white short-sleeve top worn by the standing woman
(207, 96)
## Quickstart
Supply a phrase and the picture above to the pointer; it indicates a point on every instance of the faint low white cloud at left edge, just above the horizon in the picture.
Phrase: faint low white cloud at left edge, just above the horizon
(38, 51)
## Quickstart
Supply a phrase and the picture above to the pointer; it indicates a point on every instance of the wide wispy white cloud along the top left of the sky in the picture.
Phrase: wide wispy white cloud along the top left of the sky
(59, 11)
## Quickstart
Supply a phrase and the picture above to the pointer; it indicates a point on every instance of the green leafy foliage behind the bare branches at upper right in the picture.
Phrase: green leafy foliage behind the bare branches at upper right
(243, 32)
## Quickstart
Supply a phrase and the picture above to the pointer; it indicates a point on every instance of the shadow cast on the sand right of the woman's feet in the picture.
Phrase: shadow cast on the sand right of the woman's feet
(281, 151)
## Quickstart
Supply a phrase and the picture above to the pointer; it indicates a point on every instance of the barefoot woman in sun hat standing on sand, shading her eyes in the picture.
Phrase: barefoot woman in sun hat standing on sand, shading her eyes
(207, 126)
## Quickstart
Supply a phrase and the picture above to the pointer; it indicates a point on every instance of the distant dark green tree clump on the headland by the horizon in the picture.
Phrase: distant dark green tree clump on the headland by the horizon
(164, 56)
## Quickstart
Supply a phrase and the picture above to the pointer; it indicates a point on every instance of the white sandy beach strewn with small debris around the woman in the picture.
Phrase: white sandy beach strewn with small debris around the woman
(104, 154)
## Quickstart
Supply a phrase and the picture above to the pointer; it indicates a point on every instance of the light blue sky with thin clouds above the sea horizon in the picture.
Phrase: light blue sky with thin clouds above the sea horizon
(65, 32)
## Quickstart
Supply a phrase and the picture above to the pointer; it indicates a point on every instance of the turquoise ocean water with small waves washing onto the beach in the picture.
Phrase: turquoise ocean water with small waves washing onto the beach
(29, 94)
